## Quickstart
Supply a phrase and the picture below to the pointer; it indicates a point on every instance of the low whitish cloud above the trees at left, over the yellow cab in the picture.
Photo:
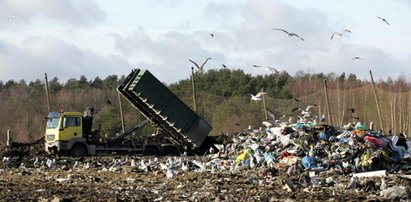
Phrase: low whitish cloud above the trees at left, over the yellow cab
(39, 55)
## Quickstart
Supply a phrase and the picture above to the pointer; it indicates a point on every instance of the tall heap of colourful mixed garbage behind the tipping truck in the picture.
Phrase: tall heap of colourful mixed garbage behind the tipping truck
(300, 147)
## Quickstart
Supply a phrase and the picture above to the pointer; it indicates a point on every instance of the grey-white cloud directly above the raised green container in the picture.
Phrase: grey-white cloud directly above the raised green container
(169, 53)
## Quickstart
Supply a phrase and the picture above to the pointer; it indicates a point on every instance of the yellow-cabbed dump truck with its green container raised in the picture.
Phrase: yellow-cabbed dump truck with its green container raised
(179, 129)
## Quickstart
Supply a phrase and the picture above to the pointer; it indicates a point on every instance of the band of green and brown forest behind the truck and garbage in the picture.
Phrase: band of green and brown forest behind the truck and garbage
(222, 99)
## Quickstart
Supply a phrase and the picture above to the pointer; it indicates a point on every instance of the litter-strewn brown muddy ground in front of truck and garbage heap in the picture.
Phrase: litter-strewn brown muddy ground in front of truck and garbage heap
(95, 180)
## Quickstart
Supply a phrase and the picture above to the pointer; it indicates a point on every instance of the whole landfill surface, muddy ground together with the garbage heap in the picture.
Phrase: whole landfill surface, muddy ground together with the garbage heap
(280, 161)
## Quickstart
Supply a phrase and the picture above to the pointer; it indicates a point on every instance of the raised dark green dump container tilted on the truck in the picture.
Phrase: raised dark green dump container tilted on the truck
(164, 109)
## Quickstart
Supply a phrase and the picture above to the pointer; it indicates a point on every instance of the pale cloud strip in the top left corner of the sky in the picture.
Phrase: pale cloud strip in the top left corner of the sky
(77, 12)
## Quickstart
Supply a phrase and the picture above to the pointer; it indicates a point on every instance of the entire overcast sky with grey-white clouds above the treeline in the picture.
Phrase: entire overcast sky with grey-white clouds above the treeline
(70, 38)
